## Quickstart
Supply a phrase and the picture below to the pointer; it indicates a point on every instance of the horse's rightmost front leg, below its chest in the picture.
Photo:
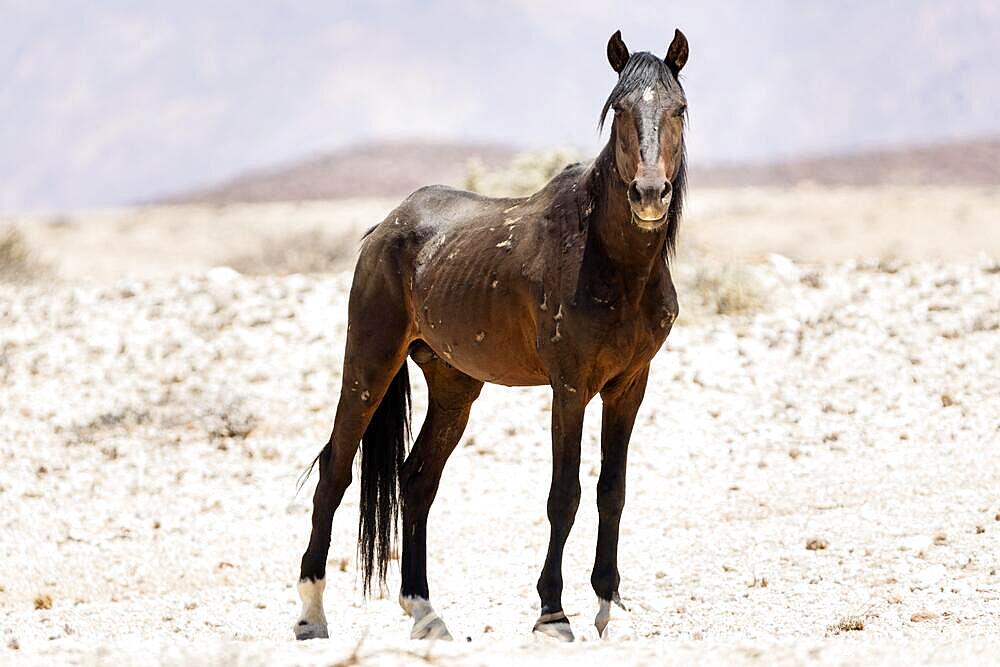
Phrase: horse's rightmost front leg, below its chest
(621, 403)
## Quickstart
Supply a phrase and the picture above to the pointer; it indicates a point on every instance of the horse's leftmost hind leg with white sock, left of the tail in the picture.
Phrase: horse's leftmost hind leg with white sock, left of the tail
(377, 340)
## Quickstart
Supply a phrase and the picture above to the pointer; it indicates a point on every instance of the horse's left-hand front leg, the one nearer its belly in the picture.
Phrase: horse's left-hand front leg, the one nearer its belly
(564, 498)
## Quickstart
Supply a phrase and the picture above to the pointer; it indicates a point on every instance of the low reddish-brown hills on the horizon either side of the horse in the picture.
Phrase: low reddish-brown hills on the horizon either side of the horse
(394, 169)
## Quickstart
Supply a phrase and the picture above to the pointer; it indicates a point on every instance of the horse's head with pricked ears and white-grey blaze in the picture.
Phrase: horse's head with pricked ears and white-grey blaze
(648, 129)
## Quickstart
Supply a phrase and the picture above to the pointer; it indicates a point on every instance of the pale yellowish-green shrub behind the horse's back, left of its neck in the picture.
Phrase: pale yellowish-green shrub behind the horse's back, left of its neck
(527, 173)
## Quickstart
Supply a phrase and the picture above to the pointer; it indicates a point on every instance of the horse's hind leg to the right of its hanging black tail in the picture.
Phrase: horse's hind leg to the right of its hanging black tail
(450, 397)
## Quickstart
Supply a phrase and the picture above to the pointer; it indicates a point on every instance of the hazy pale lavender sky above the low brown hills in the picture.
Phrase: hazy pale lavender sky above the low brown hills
(113, 102)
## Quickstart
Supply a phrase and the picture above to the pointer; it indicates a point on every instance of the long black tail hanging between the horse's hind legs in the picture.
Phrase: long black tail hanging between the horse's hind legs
(383, 449)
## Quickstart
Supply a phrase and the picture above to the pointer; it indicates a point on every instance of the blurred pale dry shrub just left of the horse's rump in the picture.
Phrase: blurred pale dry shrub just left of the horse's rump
(307, 252)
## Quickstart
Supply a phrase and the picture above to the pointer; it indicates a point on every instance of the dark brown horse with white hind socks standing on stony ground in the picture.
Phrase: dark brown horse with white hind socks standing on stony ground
(569, 287)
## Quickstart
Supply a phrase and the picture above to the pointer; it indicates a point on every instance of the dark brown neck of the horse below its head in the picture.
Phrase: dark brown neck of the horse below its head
(635, 255)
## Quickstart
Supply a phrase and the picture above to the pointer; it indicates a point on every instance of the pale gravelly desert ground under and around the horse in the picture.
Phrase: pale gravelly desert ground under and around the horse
(816, 482)
